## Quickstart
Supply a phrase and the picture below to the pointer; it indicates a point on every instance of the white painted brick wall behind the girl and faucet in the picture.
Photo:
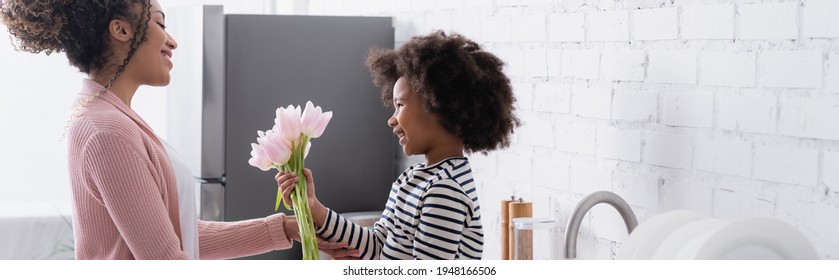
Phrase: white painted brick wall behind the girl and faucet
(725, 107)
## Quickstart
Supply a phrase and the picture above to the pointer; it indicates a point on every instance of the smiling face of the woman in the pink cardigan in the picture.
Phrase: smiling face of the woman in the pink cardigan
(152, 59)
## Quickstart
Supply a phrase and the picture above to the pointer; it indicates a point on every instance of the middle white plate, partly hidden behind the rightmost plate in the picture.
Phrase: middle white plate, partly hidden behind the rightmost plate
(684, 241)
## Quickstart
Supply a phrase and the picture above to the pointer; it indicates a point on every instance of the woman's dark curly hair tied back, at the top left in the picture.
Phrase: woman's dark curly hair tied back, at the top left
(79, 28)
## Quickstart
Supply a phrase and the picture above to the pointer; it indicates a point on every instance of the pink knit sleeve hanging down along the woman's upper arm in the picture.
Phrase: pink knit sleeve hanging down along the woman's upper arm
(124, 182)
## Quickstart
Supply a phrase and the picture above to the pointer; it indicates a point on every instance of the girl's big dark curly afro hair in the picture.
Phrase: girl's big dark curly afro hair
(460, 83)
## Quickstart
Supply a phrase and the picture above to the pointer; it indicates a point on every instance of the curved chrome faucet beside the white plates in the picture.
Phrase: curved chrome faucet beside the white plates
(582, 208)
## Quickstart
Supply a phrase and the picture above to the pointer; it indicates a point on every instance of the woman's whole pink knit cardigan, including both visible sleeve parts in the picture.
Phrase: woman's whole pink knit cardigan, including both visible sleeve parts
(125, 199)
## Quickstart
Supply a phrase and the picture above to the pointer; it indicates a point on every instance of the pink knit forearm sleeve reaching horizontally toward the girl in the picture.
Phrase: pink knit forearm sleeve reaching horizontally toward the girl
(224, 240)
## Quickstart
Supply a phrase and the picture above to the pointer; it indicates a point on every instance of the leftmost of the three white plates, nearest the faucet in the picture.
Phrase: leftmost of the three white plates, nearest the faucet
(646, 237)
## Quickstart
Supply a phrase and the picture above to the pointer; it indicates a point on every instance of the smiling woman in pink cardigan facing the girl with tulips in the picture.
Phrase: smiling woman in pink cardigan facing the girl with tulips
(124, 188)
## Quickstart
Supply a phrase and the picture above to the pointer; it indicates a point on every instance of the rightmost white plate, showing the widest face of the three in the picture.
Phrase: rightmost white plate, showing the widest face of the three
(758, 238)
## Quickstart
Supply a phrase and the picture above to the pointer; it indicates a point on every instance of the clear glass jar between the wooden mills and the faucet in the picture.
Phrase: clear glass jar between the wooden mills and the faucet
(535, 238)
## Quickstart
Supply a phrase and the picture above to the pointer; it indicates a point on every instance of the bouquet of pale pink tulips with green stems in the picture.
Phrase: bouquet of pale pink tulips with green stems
(284, 148)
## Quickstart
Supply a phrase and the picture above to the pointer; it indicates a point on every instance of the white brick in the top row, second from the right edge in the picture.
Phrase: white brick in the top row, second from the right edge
(769, 21)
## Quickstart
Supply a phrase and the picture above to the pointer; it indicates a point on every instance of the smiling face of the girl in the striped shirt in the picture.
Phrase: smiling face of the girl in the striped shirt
(418, 130)
